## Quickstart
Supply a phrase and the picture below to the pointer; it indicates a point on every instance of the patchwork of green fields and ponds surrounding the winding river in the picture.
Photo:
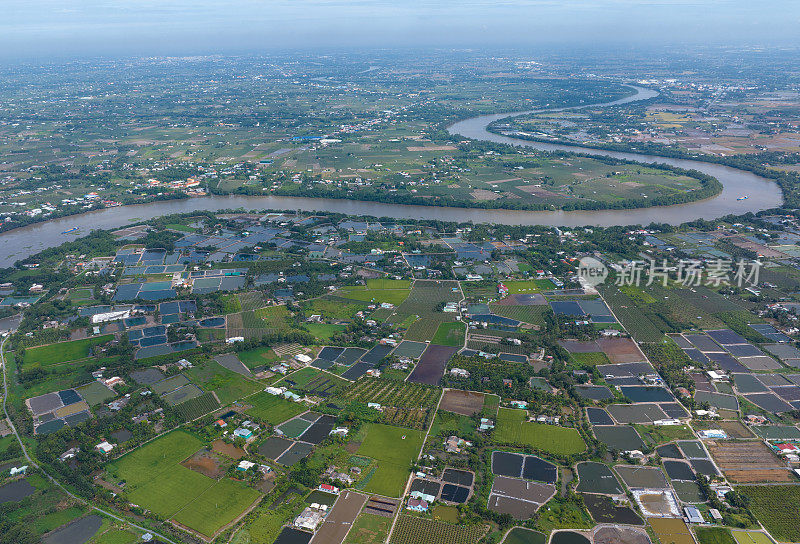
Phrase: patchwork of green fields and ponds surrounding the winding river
(361, 323)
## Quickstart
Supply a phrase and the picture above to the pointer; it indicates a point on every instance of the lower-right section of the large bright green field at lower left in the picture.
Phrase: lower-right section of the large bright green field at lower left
(217, 506)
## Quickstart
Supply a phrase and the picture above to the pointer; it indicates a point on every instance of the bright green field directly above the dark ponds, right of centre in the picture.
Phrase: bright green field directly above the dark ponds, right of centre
(512, 428)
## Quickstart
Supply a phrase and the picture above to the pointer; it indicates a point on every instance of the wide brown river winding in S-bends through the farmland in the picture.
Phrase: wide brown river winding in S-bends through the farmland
(762, 194)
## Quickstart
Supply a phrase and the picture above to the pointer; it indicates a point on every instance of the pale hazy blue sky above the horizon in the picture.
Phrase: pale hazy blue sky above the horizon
(70, 27)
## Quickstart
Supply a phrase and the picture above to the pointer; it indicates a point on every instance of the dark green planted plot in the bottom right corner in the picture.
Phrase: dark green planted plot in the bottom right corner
(777, 507)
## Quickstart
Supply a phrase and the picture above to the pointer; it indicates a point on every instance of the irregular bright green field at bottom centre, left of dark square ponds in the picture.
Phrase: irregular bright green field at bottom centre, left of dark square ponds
(394, 449)
